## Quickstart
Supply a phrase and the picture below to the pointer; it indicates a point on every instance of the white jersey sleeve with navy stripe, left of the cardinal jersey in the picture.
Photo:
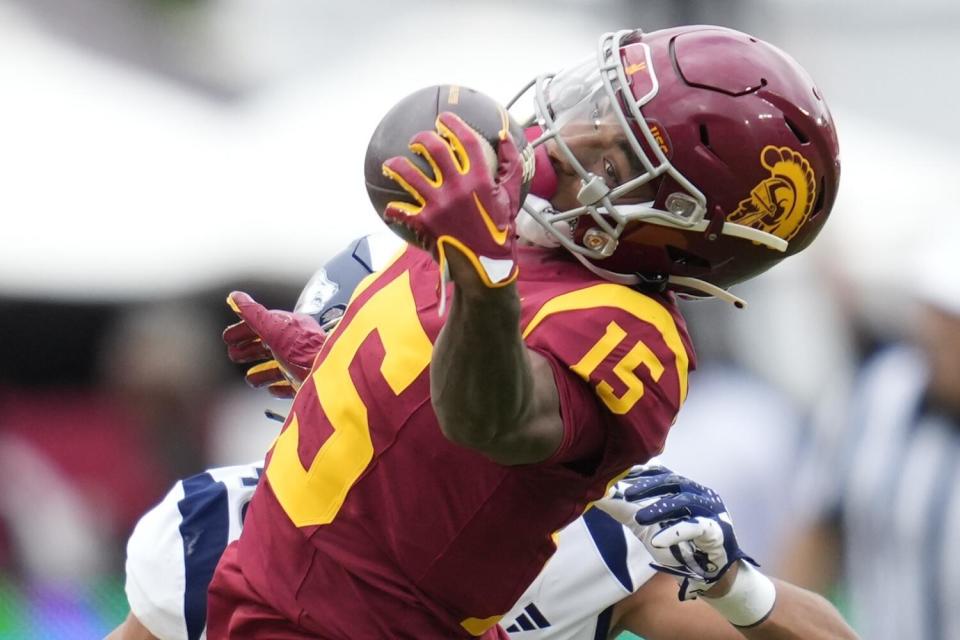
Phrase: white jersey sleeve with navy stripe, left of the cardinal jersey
(175, 547)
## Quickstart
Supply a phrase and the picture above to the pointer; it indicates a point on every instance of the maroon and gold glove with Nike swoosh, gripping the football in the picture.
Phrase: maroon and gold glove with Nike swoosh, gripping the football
(463, 204)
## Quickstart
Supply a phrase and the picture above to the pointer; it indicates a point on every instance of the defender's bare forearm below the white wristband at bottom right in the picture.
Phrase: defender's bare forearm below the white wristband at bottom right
(800, 615)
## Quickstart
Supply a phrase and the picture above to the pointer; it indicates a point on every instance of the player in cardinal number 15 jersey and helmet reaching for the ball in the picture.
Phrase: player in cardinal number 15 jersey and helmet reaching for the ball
(428, 460)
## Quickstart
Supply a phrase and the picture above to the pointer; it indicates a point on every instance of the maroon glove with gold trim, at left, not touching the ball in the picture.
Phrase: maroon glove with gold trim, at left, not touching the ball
(286, 342)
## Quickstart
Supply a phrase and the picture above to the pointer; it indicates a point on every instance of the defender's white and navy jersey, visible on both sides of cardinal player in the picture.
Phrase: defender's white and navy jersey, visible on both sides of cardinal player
(176, 546)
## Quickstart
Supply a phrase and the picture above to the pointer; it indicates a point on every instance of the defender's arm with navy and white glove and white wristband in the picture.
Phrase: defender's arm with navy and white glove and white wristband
(690, 536)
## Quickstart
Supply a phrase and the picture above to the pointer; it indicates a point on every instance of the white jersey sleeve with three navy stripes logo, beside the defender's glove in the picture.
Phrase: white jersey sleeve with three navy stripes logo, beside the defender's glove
(597, 563)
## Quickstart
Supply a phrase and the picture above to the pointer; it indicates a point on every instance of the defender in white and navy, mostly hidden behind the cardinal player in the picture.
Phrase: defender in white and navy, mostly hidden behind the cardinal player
(602, 579)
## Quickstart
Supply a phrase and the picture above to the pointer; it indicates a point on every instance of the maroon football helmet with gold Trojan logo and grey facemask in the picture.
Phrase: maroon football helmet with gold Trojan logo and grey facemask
(733, 158)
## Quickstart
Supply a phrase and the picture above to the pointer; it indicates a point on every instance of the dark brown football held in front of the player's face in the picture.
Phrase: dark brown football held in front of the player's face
(418, 112)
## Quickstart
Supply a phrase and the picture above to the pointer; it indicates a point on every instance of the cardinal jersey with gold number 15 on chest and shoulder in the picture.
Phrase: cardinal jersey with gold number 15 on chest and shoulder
(368, 523)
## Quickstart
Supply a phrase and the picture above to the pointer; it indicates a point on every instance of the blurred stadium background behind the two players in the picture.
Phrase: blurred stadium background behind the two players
(156, 154)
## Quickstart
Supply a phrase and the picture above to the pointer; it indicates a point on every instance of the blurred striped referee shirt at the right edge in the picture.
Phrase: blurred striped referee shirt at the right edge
(894, 481)
